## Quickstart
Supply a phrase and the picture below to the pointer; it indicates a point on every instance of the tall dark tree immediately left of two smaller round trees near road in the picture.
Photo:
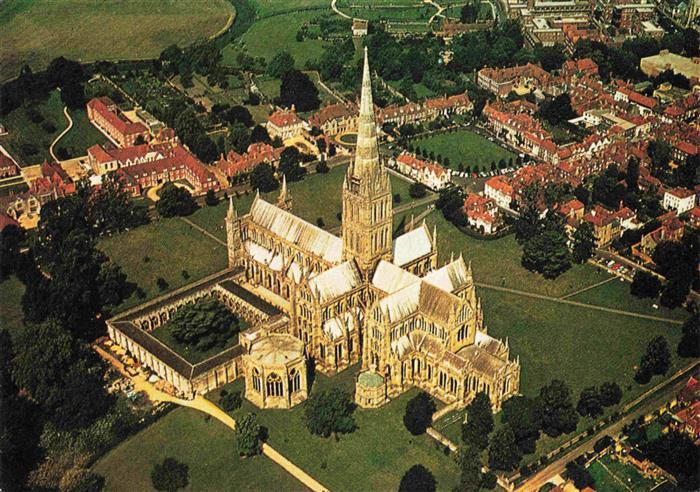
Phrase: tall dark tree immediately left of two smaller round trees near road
(555, 410)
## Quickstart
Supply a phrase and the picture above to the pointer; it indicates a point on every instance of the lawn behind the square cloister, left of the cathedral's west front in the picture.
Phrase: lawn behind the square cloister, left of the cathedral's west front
(163, 248)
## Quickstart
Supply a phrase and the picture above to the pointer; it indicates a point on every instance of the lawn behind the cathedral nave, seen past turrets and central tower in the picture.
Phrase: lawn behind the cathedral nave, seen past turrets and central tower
(317, 195)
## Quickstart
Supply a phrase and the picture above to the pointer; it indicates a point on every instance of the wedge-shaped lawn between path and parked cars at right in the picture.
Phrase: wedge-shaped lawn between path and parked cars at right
(616, 294)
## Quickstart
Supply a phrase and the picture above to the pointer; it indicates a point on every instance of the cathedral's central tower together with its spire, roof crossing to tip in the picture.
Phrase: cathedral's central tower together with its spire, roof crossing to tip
(367, 210)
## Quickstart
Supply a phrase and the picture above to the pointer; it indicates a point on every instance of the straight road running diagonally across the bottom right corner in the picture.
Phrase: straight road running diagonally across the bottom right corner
(673, 385)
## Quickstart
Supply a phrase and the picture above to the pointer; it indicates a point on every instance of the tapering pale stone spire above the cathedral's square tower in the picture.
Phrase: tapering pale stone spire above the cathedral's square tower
(366, 150)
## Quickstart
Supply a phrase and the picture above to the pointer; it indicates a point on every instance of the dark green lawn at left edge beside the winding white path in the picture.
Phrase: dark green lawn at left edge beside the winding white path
(29, 142)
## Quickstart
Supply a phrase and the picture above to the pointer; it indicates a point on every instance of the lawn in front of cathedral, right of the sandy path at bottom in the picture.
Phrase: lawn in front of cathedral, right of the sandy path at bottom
(374, 457)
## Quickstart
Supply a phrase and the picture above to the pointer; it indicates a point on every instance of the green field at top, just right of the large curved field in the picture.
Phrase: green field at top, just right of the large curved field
(266, 37)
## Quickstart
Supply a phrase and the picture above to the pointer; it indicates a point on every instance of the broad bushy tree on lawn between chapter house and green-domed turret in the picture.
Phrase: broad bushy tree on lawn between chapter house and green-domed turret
(329, 412)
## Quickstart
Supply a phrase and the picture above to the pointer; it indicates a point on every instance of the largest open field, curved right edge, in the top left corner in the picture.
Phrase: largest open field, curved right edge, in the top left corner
(36, 31)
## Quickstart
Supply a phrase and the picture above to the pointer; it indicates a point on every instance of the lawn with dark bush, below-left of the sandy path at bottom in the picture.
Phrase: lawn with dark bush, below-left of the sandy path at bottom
(204, 444)
